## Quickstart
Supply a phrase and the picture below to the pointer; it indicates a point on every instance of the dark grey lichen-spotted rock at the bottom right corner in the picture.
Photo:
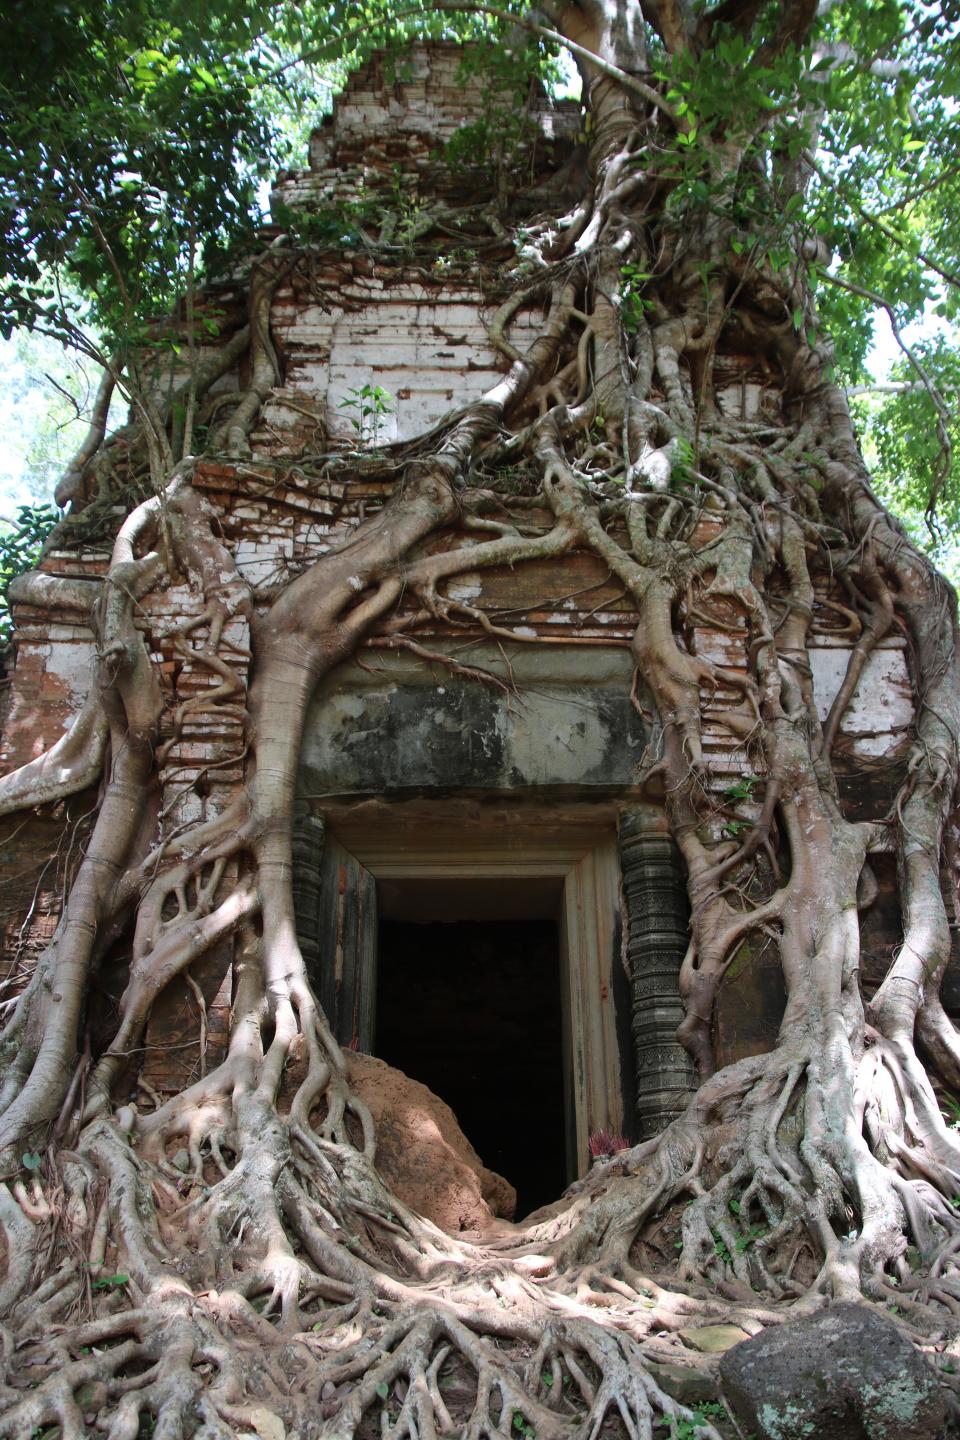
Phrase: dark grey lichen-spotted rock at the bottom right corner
(846, 1373)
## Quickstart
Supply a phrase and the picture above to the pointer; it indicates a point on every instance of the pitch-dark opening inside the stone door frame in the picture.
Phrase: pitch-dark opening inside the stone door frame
(473, 1009)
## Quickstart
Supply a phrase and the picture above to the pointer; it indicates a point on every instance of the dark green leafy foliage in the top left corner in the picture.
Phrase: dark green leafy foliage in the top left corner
(133, 143)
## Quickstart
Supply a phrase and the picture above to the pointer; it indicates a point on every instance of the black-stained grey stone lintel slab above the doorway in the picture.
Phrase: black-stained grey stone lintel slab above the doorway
(565, 719)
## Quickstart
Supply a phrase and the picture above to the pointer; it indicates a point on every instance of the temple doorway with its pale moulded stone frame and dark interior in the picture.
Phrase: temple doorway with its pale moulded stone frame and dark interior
(385, 872)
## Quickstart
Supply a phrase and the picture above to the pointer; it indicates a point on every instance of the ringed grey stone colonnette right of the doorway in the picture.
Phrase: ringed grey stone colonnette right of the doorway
(657, 919)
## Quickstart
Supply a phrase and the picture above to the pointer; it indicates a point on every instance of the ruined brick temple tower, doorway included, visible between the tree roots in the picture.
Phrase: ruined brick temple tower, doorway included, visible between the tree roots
(486, 888)
